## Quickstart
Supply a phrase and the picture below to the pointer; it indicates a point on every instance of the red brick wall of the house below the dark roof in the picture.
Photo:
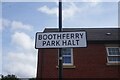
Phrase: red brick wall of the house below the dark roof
(90, 62)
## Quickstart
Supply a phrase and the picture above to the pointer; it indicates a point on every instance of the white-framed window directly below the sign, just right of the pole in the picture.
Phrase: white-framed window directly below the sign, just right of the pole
(67, 56)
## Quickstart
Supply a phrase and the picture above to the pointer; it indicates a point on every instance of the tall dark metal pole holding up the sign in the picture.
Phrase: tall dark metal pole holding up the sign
(60, 49)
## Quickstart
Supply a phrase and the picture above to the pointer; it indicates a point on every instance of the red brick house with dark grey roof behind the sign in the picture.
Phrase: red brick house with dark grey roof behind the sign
(100, 59)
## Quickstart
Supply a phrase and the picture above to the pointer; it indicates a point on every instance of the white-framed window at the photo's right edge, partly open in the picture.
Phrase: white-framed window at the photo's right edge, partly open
(113, 54)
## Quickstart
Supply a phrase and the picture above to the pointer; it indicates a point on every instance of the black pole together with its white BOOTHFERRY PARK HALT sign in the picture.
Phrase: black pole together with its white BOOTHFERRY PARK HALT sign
(60, 40)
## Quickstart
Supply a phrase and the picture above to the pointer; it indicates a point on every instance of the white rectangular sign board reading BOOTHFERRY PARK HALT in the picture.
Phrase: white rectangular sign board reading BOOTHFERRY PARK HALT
(60, 39)
